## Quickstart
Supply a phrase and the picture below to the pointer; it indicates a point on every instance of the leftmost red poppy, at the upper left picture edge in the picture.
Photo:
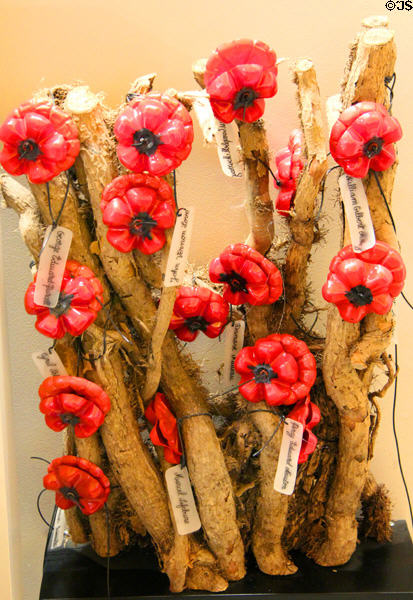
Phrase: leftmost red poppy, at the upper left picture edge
(40, 141)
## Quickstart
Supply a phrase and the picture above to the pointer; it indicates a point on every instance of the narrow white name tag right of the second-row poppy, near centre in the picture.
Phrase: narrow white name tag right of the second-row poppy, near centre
(178, 253)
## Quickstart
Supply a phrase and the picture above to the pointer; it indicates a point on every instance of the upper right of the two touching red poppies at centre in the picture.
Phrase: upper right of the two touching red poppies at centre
(248, 276)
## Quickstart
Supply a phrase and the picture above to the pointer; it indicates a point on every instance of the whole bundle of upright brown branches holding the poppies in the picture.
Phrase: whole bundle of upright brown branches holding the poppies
(237, 504)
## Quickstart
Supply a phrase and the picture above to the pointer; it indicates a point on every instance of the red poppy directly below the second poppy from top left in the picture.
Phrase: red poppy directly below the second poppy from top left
(137, 208)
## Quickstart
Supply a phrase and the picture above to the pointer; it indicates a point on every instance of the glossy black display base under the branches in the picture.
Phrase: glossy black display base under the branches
(375, 570)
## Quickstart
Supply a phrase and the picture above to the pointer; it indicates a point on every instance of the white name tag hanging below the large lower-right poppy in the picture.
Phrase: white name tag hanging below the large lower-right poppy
(286, 474)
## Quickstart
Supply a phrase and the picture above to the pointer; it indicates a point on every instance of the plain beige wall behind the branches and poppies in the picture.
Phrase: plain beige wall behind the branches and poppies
(107, 44)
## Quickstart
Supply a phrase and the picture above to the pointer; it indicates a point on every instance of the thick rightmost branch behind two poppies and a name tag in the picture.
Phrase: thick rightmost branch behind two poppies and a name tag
(349, 347)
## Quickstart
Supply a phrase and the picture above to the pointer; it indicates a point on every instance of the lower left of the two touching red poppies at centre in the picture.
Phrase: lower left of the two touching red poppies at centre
(198, 309)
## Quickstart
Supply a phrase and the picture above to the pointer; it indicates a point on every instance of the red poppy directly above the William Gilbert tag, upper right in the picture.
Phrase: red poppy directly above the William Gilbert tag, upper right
(363, 139)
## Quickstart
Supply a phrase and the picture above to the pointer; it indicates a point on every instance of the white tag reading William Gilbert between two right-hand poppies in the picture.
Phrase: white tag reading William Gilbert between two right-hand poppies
(358, 213)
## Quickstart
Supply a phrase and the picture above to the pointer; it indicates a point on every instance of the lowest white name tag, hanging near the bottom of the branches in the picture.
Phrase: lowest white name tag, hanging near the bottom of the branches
(182, 500)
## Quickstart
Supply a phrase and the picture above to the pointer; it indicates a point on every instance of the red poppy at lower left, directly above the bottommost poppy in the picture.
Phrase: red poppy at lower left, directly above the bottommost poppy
(68, 400)
